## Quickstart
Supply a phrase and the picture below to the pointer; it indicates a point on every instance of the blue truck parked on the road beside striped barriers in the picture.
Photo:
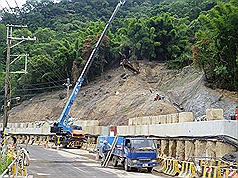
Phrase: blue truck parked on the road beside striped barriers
(131, 152)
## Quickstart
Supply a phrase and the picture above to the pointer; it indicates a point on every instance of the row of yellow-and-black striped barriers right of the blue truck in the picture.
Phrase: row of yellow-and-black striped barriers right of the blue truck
(206, 168)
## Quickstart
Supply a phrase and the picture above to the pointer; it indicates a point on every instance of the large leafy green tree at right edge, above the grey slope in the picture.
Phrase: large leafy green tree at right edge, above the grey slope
(217, 46)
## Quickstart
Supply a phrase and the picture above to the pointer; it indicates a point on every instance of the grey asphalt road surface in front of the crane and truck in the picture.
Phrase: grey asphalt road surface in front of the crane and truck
(70, 163)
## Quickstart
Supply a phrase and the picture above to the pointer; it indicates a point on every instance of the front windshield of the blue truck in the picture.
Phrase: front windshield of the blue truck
(143, 144)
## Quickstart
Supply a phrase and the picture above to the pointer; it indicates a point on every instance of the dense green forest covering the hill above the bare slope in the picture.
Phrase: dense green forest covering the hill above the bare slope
(179, 32)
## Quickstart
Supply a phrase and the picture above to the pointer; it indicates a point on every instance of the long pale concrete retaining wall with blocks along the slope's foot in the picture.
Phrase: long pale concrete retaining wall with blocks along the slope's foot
(165, 126)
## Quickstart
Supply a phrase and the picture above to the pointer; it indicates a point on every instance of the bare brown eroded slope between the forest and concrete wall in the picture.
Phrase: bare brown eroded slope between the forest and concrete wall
(119, 95)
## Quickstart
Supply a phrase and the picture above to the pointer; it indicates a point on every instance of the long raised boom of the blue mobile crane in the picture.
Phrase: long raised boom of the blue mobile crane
(62, 123)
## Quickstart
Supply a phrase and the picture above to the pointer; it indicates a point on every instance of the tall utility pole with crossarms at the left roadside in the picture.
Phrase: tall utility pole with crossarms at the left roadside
(7, 81)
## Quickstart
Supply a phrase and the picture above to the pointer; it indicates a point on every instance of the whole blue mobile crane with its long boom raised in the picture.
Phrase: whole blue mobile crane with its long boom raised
(73, 136)
